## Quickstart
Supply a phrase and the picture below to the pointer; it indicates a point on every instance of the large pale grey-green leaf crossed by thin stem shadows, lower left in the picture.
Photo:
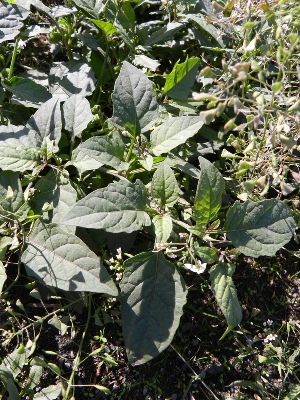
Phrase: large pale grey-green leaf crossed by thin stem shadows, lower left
(60, 259)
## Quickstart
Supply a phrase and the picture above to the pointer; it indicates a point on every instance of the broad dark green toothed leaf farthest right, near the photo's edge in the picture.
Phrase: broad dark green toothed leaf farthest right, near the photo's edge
(259, 228)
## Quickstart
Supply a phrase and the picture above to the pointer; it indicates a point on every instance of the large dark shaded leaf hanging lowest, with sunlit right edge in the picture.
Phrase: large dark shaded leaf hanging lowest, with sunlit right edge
(153, 294)
